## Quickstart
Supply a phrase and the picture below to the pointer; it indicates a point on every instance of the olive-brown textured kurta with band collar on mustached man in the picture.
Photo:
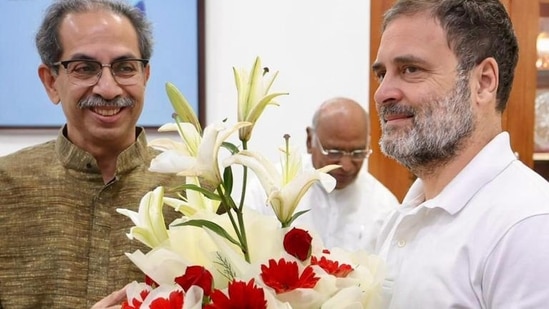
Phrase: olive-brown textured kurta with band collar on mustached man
(62, 243)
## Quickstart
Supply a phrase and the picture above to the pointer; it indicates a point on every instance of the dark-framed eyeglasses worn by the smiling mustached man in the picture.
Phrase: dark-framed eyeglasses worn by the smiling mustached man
(88, 72)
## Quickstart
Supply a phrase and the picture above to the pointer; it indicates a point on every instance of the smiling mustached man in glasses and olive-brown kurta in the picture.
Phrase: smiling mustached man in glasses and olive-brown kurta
(62, 243)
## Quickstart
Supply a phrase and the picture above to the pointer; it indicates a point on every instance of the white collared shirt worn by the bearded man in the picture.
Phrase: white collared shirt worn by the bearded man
(483, 242)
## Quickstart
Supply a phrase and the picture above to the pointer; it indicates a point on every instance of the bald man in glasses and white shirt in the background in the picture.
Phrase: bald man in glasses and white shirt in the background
(351, 215)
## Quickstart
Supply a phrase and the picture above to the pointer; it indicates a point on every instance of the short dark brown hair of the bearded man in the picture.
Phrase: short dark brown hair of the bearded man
(475, 30)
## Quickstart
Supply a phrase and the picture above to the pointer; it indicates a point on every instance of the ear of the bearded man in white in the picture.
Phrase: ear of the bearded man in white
(486, 81)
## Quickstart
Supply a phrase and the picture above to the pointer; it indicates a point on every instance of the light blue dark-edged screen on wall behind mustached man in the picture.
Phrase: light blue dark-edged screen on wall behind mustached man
(177, 58)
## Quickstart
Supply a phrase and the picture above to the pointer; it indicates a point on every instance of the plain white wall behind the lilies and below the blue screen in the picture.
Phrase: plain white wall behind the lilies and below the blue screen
(320, 48)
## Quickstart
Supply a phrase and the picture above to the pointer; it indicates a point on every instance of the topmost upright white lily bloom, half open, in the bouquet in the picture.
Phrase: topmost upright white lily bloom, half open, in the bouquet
(253, 95)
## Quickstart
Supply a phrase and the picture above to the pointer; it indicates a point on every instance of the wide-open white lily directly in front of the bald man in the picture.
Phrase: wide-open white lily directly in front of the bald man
(284, 190)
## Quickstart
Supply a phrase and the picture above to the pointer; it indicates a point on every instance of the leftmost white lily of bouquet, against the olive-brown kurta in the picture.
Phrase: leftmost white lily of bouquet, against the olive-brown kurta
(150, 228)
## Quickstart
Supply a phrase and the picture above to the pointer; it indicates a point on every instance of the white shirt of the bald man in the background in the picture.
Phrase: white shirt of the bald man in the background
(348, 218)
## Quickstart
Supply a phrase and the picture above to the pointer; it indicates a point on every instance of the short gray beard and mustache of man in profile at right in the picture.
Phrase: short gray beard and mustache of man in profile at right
(438, 131)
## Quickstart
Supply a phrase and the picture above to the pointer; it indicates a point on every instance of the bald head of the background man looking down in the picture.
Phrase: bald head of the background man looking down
(340, 124)
